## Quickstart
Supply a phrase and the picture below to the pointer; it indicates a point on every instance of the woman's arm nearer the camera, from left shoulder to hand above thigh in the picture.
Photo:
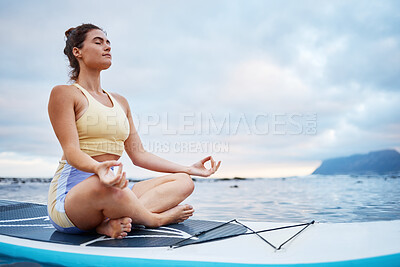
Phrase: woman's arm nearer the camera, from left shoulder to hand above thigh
(61, 110)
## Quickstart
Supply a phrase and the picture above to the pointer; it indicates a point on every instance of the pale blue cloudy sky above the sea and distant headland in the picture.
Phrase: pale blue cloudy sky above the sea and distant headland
(270, 88)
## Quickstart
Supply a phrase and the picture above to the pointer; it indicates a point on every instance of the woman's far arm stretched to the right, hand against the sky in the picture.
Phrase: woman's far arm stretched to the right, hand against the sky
(142, 158)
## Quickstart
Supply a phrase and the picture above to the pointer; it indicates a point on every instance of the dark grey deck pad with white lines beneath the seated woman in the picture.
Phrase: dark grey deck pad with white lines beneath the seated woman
(30, 221)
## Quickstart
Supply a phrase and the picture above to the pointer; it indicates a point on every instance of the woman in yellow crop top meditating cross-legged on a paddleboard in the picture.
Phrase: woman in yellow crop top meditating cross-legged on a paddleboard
(94, 127)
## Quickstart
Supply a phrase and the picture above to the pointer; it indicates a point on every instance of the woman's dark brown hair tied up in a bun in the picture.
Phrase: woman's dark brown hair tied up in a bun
(74, 38)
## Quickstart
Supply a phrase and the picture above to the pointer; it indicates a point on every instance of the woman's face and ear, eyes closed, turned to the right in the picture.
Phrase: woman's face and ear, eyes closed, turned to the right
(95, 52)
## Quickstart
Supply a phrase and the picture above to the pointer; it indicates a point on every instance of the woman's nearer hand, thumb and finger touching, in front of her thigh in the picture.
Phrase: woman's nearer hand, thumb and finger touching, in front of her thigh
(107, 176)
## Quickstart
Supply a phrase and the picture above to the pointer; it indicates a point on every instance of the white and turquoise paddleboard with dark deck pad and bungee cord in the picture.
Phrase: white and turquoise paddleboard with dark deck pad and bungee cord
(26, 233)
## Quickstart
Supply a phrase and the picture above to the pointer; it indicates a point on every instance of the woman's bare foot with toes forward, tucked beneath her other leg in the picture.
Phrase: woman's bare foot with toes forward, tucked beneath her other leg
(115, 228)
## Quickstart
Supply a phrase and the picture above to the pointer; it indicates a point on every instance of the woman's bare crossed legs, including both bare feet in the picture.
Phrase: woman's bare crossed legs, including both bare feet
(151, 203)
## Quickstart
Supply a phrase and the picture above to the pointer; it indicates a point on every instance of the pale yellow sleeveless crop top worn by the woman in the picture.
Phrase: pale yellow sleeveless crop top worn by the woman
(102, 129)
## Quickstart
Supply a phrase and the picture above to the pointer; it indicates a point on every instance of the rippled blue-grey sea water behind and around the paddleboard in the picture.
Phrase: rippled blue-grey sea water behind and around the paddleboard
(323, 198)
